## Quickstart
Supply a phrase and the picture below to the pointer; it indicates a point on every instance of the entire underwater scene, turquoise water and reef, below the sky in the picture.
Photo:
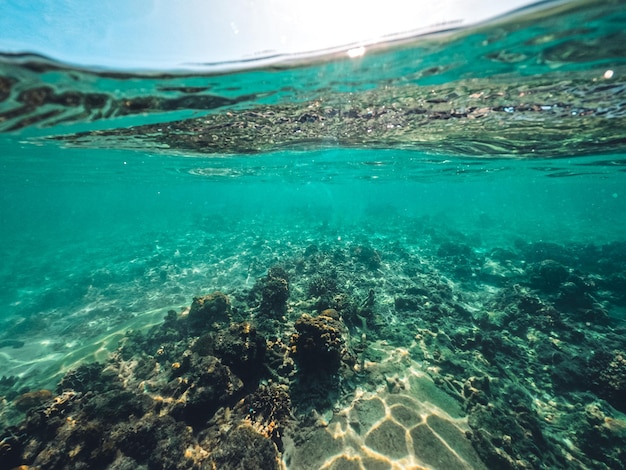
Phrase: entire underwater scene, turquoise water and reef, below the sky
(412, 256)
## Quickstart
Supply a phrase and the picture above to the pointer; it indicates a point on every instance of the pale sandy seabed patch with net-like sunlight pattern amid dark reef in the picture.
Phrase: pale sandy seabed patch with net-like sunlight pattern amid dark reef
(399, 420)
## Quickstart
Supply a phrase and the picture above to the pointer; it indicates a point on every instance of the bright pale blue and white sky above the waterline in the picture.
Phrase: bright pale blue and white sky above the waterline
(170, 34)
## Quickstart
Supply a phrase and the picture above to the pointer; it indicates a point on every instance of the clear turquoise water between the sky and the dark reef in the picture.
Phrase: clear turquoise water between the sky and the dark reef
(110, 227)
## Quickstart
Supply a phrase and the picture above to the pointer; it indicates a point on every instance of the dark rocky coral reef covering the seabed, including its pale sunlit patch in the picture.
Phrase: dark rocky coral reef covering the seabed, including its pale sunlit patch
(510, 358)
